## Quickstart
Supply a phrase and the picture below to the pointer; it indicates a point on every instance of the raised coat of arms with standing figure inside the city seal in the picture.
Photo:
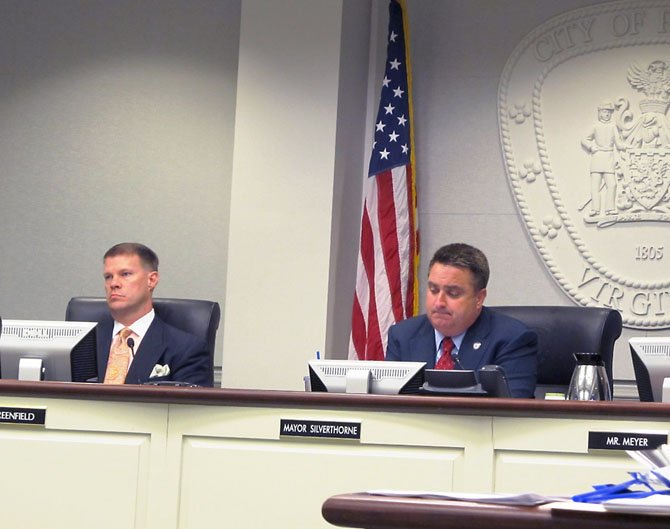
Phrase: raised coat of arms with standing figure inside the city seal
(633, 151)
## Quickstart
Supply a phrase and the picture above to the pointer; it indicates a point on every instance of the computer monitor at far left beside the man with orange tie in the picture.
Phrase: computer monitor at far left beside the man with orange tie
(48, 350)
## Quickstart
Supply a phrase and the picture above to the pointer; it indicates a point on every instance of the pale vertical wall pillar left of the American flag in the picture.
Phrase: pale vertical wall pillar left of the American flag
(283, 191)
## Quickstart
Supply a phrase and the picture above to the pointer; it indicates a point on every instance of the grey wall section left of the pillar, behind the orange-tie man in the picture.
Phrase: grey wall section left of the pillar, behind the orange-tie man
(116, 123)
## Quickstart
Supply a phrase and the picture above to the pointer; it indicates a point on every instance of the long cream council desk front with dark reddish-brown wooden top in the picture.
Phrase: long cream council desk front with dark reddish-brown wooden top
(193, 456)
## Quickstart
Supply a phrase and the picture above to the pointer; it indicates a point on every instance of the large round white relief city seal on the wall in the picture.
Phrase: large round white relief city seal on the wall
(583, 111)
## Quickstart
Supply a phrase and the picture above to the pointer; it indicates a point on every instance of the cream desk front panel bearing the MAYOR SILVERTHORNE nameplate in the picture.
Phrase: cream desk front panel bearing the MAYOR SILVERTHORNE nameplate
(294, 475)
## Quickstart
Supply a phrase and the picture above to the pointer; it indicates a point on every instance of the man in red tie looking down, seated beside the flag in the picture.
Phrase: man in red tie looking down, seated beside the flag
(455, 313)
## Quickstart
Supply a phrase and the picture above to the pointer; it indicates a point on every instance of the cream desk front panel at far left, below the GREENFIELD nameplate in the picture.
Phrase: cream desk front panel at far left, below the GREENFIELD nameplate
(65, 473)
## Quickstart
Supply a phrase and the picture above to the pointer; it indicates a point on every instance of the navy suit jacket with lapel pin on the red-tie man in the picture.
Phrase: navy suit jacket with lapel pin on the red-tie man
(492, 339)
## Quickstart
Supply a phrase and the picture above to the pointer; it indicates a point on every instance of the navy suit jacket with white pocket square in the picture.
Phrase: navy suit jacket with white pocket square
(163, 344)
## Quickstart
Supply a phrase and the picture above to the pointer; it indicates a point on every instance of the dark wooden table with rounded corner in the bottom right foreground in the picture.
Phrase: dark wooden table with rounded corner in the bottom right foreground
(368, 511)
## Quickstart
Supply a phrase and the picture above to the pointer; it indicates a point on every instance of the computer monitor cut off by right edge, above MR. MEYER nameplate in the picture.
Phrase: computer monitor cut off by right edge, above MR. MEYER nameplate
(651, 363)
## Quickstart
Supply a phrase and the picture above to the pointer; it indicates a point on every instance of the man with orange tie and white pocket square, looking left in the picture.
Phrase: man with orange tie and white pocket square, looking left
(154, 351)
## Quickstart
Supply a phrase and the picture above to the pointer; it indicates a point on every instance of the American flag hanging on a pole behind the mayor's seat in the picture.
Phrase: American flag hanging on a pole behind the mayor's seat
(388, 255)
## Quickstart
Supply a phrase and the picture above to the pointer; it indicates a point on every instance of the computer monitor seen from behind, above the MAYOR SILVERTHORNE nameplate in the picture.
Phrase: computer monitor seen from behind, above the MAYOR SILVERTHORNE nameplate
(366, 376)
